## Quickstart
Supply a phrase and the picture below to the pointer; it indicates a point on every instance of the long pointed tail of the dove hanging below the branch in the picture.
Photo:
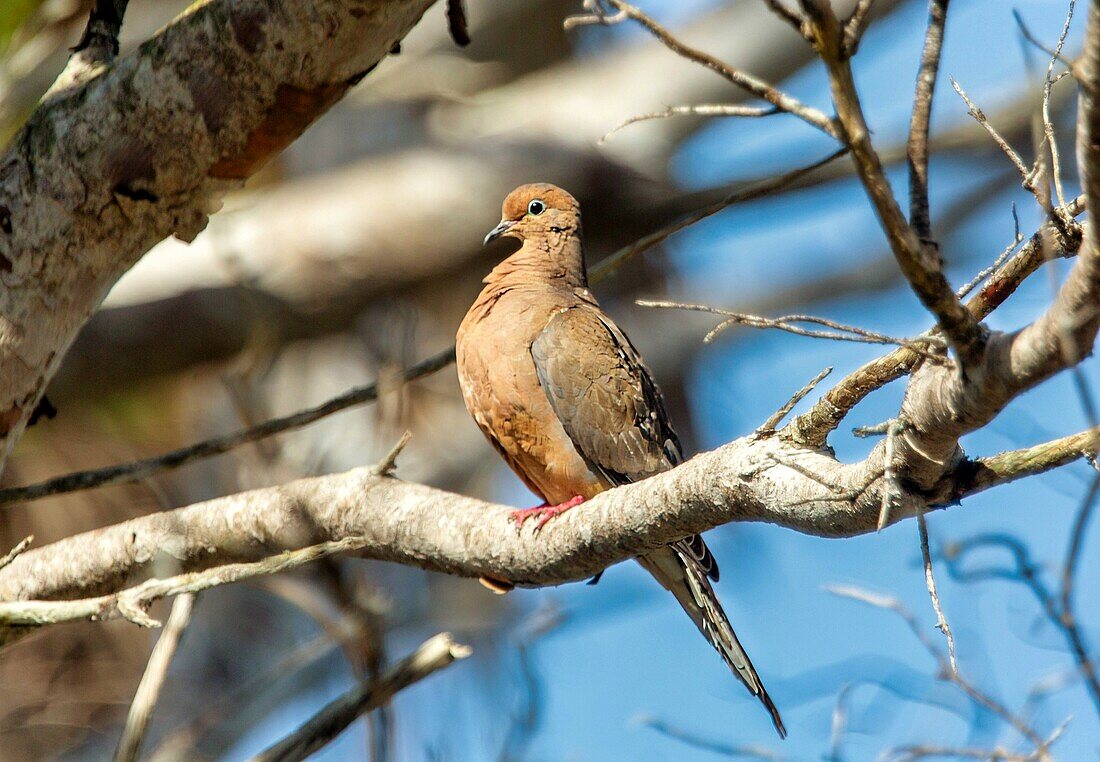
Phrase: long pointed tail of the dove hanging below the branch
(683, 569)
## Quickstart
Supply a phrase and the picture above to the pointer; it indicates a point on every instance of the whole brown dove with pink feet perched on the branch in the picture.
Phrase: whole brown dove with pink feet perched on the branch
(566, 400)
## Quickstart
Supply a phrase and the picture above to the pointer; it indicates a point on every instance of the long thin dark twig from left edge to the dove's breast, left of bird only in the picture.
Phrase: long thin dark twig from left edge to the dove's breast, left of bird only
(136, 471)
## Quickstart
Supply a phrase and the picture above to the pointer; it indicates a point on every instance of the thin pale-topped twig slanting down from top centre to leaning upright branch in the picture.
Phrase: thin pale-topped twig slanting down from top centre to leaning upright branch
(746, 82)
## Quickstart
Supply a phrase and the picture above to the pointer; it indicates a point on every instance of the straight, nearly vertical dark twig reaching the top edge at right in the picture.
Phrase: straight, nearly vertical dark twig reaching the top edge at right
(918, 148)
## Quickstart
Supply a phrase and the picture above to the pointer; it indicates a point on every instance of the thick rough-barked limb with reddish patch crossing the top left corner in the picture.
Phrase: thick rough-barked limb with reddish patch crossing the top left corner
(144, 149)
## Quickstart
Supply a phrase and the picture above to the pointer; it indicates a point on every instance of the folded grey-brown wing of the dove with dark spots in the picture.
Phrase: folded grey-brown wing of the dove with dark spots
(604, 396)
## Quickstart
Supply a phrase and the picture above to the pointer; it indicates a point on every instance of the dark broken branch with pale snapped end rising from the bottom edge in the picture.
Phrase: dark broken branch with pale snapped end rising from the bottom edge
(334, 720)
